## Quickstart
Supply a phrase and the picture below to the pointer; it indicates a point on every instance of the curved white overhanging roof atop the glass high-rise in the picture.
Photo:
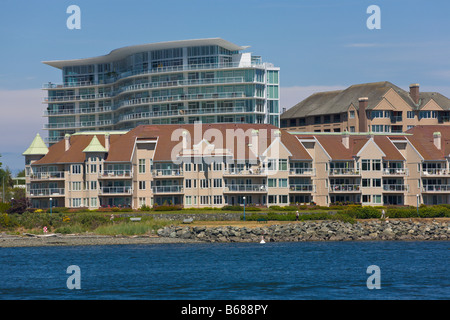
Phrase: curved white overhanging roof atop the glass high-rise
(121, 53)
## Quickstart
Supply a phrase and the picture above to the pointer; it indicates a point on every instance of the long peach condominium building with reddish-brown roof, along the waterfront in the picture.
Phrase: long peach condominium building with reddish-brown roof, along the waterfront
(213, 165)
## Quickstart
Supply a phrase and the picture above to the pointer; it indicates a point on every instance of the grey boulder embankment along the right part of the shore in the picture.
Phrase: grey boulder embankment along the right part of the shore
(315, 231)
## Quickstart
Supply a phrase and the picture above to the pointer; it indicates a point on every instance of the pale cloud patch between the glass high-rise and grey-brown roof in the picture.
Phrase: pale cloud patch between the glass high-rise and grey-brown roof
(290, 96)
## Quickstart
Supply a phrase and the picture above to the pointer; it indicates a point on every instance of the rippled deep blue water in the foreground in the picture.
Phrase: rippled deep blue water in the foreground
(242, 271)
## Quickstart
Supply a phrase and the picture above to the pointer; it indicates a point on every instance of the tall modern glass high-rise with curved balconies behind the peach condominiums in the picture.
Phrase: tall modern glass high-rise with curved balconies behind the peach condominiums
(207, 80)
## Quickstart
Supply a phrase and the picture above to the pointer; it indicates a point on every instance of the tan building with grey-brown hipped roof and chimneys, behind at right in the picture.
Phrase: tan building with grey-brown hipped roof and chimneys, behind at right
(370, 107)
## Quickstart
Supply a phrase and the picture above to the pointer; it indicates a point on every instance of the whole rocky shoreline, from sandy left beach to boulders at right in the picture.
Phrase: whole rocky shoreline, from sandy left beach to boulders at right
(296, 231)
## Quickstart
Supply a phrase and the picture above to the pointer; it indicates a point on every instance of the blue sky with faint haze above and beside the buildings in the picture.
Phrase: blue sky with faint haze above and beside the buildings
(319, 45)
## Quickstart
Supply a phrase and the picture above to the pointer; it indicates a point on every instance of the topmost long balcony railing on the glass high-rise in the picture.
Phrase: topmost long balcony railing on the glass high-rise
(123, 75)
